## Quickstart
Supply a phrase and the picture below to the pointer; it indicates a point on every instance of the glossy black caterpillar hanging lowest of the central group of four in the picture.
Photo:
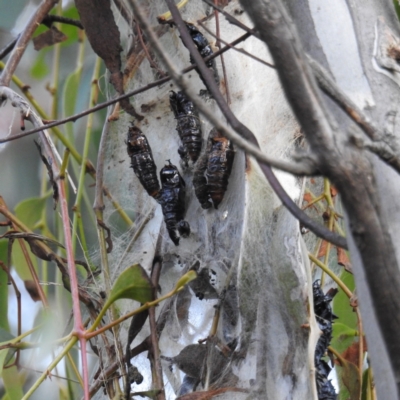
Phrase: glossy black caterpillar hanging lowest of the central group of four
(172, 200)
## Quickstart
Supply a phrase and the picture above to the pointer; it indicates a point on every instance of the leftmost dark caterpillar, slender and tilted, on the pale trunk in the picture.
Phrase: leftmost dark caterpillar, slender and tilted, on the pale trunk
(142, 161)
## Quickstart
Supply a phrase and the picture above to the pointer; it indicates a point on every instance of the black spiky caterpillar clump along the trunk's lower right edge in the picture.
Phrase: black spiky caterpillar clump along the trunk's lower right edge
(324, 317)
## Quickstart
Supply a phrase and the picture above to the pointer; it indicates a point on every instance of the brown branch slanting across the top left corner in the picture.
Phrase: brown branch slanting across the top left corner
(23, 40)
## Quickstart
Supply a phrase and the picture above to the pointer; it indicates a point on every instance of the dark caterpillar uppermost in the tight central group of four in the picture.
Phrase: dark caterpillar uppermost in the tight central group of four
(188, 126)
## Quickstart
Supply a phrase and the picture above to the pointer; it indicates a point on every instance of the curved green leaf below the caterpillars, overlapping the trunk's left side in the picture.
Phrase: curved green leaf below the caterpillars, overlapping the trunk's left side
(133, 284)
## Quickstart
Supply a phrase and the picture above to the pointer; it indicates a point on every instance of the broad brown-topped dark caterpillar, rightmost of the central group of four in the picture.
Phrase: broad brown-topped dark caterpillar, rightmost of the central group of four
(212, 171)
